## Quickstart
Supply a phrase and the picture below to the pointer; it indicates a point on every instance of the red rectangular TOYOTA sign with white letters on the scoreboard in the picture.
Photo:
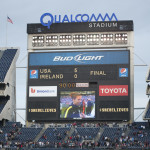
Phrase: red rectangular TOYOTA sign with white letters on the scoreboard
(113, 90)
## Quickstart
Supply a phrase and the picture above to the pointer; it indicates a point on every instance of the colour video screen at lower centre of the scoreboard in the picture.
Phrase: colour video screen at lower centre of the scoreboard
(77, 104)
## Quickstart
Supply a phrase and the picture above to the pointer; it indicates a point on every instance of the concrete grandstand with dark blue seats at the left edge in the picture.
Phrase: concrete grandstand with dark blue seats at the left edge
(8, 58)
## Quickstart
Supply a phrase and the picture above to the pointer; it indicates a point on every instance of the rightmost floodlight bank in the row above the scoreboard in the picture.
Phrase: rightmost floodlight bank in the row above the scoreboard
(121, 38)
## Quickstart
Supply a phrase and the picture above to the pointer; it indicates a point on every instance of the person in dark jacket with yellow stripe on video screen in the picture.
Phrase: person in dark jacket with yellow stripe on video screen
(74, 110)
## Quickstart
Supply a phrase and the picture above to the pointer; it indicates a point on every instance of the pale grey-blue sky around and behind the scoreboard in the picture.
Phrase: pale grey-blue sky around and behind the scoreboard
(23, 12)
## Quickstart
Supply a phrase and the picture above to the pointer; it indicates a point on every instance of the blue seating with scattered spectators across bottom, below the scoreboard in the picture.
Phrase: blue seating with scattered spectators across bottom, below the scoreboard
(137, 136)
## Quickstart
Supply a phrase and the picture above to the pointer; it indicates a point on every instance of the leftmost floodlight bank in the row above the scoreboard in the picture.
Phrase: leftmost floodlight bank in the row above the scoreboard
(38, 41)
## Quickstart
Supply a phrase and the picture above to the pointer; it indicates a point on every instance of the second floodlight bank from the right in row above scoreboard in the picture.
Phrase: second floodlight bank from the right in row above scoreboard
(106, 39)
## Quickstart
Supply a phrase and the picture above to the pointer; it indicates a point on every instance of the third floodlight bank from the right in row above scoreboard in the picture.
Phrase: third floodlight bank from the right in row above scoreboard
(93, 39)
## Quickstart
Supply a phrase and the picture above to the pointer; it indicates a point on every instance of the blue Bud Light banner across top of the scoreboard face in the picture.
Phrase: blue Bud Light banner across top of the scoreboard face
(79, 58)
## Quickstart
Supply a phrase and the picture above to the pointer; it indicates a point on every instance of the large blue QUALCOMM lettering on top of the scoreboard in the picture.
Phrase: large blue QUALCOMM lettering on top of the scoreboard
(75, 18)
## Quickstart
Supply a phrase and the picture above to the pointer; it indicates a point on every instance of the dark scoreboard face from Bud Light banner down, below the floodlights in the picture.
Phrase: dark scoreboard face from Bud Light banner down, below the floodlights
(79, 85)
